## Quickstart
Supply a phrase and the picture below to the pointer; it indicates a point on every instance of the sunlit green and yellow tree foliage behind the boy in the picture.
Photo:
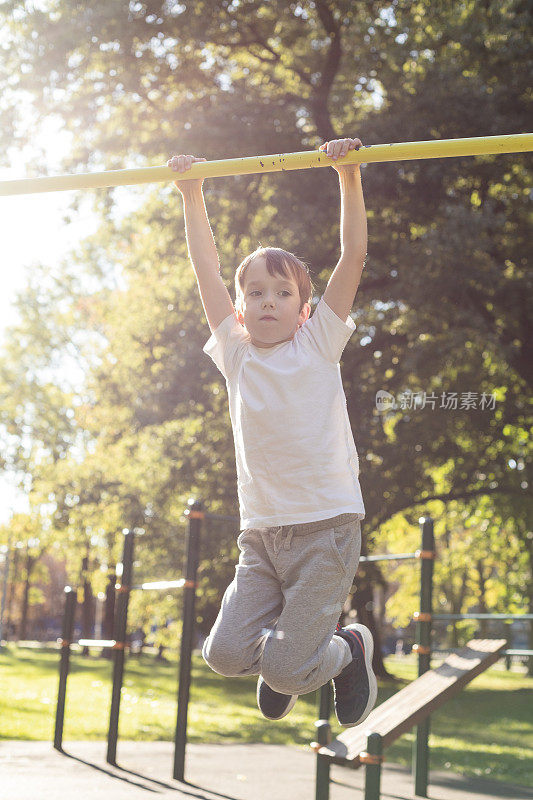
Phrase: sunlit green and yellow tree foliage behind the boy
(442, 307)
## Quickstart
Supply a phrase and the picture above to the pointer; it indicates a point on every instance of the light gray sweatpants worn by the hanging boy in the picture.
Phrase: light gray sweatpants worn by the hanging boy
(278, 615)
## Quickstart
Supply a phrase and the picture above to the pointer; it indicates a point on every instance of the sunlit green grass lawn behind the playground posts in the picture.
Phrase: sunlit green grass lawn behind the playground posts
(486, 730)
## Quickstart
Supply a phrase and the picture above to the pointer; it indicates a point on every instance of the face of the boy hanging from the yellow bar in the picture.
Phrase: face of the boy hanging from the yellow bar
(270, 296)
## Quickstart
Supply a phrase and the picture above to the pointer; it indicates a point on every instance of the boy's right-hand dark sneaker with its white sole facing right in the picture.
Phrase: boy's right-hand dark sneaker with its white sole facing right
(355, 688)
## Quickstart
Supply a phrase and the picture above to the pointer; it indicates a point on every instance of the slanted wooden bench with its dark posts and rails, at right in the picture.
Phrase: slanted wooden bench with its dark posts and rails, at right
(412, 705)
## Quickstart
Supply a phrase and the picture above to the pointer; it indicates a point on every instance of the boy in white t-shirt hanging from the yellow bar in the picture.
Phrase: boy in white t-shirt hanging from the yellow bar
(297, 465)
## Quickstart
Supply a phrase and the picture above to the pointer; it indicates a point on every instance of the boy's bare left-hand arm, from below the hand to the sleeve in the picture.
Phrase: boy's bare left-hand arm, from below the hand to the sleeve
(204, 257)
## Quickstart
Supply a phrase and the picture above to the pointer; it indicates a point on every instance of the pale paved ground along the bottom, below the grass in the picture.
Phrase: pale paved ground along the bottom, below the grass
(35, 771)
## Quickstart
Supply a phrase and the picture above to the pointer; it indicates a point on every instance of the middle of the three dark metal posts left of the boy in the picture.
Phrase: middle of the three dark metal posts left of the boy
(121, 622)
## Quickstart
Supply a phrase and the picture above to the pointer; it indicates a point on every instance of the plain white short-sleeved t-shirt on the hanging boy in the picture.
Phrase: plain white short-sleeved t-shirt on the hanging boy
(295, 453)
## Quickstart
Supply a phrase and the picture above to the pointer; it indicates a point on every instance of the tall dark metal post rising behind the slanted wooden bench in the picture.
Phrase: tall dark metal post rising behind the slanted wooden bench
(423, 617)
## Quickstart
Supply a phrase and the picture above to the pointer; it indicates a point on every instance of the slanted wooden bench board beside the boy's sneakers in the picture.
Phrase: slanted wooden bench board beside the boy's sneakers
(413, 703)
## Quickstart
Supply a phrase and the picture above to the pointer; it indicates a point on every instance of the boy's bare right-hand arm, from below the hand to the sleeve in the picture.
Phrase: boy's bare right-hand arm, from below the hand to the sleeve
(344, 281)
